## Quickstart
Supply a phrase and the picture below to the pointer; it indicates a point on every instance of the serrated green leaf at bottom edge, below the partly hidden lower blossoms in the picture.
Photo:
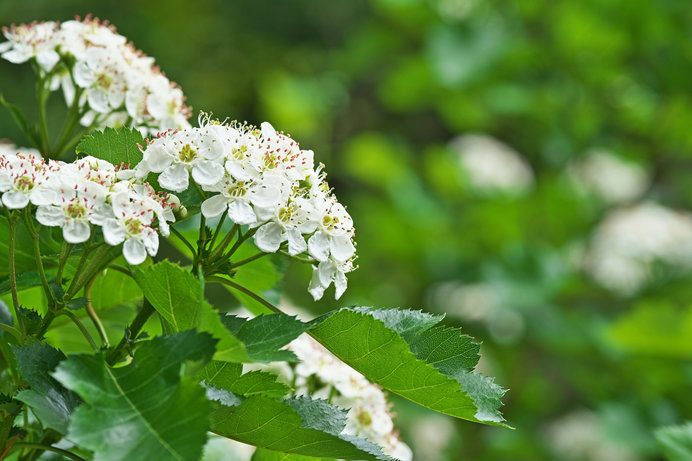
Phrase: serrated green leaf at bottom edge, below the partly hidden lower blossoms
(298, 426)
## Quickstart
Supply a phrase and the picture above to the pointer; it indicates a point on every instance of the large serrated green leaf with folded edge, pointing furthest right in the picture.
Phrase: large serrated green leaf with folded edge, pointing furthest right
(433, 370)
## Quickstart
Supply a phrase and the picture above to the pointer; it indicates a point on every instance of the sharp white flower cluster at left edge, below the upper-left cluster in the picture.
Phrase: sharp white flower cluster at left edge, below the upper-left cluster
(86, 193)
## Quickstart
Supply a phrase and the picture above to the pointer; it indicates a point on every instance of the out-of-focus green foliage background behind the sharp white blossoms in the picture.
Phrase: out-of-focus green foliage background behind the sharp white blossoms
(381, 90)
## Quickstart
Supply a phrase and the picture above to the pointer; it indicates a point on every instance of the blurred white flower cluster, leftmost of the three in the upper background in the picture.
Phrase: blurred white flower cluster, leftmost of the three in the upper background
(492, 166)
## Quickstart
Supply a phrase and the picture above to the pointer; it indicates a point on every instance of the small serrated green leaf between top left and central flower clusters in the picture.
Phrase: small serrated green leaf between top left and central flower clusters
(115, 146)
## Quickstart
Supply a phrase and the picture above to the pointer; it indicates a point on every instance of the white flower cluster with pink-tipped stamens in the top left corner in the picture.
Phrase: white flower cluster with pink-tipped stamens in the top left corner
(118, 84)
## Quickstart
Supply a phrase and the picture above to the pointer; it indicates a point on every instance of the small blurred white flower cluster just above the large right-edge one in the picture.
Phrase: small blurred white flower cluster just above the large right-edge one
(609, 177)
